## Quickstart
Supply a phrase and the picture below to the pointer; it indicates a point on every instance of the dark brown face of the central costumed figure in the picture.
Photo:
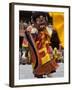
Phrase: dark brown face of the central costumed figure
(40, 22)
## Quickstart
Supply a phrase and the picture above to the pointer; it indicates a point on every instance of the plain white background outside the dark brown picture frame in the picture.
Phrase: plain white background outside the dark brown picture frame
(4, 43)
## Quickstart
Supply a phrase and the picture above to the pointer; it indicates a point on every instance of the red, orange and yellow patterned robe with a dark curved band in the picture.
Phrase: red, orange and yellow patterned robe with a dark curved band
(39, 45)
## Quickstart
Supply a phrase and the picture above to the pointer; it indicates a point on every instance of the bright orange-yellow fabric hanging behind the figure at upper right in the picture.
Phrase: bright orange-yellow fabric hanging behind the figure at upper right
(58, 24)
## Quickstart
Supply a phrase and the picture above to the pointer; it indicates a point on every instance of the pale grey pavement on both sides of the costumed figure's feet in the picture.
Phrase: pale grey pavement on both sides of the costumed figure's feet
(25, 71)
